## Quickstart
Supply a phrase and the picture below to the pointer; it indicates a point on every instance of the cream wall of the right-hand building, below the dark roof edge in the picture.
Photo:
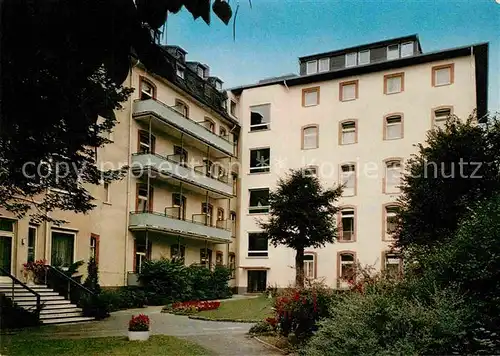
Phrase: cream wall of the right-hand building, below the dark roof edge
(415, 104)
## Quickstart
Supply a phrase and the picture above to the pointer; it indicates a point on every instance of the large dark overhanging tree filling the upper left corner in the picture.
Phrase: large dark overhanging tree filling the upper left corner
(63, 63)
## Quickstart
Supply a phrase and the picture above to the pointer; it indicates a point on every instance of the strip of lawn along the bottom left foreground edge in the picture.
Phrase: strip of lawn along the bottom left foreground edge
(108, 346)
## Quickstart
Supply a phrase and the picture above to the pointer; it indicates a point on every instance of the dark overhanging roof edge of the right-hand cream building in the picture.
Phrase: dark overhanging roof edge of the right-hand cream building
(480, 51)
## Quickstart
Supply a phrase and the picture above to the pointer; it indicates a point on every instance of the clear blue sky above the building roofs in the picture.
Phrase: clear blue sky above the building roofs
(272, 34)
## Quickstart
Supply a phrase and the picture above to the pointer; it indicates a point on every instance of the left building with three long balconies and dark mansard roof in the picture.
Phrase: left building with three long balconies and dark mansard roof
(179, 198)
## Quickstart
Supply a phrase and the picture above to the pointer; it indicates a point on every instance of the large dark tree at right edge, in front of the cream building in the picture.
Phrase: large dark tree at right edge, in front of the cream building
(456, 167)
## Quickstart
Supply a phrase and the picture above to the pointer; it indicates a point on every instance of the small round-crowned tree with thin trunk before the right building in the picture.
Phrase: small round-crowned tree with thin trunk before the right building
(302, 215)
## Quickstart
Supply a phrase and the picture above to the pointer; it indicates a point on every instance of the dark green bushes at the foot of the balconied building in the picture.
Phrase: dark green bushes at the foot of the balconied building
(167, 281)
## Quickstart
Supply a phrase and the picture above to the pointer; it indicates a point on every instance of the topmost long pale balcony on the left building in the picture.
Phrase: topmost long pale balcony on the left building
(166, 118)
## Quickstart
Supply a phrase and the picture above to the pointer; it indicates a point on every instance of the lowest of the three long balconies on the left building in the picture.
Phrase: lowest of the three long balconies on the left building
(171, 222)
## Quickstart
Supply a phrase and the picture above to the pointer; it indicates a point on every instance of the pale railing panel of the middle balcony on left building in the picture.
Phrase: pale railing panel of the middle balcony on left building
(176, 167)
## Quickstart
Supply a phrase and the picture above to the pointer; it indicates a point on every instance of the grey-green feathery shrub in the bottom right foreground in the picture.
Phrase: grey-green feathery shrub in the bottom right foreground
(384, 323)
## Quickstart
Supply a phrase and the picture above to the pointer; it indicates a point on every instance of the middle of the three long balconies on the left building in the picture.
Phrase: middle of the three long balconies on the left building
(196, 178)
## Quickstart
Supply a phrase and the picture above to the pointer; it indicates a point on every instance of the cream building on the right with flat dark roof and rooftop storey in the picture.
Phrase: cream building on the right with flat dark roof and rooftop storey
(352, 116)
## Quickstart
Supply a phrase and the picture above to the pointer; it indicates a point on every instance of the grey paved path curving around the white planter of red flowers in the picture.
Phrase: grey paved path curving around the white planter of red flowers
(225, 338)
